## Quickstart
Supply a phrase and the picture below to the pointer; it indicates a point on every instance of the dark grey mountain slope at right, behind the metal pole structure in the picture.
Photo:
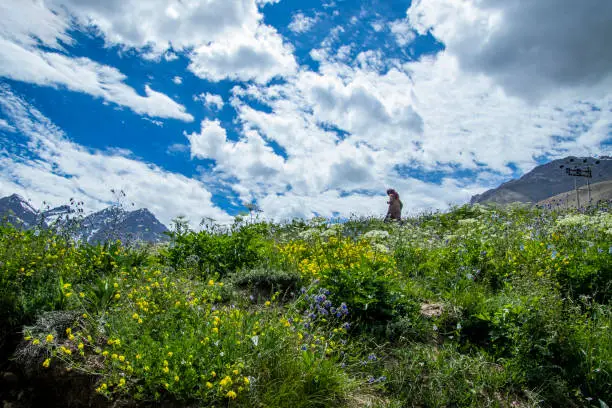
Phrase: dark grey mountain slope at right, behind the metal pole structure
(543, 182)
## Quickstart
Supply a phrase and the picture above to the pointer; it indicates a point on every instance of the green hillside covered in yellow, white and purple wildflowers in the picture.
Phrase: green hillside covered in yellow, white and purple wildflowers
(477, 307)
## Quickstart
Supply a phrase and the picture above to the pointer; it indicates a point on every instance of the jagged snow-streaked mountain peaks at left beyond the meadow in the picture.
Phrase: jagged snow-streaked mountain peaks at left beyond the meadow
(110, 223)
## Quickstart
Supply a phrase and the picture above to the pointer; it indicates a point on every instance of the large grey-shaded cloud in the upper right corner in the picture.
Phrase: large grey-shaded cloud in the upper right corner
(530, 48)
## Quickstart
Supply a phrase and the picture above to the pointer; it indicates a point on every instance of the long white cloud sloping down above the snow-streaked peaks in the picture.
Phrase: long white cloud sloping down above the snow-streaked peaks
(55, 169)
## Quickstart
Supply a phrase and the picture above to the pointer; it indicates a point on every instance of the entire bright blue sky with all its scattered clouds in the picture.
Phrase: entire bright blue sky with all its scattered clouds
(315, 107)
